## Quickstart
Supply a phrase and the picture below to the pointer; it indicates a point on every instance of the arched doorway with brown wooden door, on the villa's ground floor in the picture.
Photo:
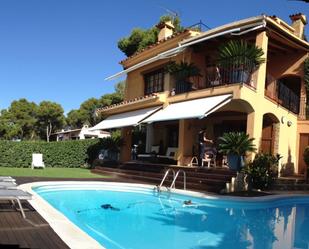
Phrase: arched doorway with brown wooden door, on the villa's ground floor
(270, 134)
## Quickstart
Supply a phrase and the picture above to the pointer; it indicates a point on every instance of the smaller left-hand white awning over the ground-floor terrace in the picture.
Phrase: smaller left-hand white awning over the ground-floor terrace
(125, 119)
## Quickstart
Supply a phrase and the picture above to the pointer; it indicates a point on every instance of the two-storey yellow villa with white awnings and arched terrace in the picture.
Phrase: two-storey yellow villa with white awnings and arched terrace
(267, 102)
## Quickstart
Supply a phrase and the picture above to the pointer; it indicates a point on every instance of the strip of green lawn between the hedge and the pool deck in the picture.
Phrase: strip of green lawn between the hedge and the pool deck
(50, 172)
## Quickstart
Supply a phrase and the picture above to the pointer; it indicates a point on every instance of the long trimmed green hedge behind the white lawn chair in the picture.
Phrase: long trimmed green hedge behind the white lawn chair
(70, 154)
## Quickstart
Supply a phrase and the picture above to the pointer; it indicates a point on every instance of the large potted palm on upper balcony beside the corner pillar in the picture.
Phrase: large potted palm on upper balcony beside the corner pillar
(238, 59)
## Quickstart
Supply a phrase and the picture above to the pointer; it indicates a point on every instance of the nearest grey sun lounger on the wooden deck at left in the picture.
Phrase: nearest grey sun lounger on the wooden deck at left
(15, 195)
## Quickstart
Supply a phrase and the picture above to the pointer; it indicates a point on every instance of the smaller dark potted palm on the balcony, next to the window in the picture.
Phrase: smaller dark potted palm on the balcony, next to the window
(182, 72)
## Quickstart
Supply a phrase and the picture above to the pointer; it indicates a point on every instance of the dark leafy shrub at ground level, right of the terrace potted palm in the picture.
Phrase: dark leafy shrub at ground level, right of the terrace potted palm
(263, 170)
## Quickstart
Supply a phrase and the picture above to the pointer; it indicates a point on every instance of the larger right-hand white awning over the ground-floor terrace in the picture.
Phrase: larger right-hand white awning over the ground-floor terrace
(198, 108)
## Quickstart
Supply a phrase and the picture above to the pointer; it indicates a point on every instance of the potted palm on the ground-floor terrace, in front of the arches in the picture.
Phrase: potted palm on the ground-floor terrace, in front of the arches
(235, 145)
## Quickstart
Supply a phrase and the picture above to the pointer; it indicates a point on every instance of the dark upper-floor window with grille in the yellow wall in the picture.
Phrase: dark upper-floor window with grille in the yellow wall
(154, 81)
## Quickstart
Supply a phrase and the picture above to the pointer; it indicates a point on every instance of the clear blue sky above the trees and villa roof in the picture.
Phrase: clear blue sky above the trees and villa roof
(61, 50)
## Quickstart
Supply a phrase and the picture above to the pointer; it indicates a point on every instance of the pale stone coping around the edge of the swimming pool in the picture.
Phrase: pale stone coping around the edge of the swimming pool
(76, 238)
